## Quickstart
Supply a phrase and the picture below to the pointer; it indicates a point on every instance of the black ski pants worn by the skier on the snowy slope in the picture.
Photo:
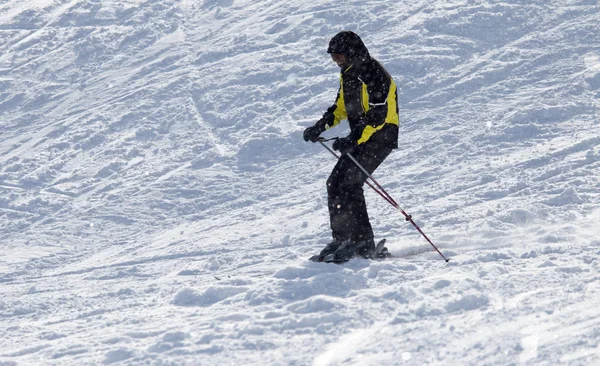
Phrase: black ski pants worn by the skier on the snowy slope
(346, 201)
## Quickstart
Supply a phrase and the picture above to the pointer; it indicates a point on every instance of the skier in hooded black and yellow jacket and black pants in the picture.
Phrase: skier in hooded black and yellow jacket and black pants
(368, 99)
